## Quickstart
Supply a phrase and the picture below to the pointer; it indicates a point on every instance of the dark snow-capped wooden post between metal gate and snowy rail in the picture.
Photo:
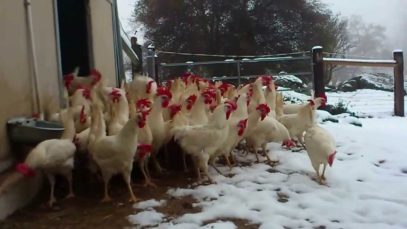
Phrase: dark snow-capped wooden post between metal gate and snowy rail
(318, 71)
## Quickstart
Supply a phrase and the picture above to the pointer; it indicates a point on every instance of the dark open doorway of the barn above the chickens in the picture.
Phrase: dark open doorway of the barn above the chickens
(74, 36)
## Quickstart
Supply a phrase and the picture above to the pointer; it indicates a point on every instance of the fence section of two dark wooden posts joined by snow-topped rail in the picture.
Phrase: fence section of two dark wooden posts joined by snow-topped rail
(318, 62)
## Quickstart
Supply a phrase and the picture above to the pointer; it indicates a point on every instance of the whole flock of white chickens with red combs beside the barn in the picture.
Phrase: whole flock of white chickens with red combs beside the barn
(126, 126)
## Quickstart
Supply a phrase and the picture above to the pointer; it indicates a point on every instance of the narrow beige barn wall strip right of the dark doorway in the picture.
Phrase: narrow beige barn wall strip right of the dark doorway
(102, 39)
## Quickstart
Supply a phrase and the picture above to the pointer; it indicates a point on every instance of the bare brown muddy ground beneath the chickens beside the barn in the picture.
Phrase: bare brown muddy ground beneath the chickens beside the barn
(86, 211)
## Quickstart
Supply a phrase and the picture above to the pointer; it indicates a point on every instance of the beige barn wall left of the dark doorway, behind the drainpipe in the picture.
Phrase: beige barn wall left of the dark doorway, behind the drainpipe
(15, 74)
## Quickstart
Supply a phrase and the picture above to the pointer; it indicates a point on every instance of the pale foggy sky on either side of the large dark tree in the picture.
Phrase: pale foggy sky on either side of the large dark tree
(391, 14)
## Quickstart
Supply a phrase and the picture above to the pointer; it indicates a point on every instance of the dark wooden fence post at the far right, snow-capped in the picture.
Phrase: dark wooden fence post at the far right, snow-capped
(398, 83)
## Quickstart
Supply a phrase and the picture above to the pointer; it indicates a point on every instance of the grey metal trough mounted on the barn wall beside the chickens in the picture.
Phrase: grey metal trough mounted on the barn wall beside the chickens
(31, 131)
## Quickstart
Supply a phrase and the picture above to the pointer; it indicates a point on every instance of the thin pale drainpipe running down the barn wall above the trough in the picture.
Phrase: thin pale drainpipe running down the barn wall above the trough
(33, 59)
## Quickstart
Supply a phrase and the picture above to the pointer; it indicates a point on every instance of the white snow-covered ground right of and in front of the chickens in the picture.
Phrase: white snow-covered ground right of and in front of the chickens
(366, 187)
